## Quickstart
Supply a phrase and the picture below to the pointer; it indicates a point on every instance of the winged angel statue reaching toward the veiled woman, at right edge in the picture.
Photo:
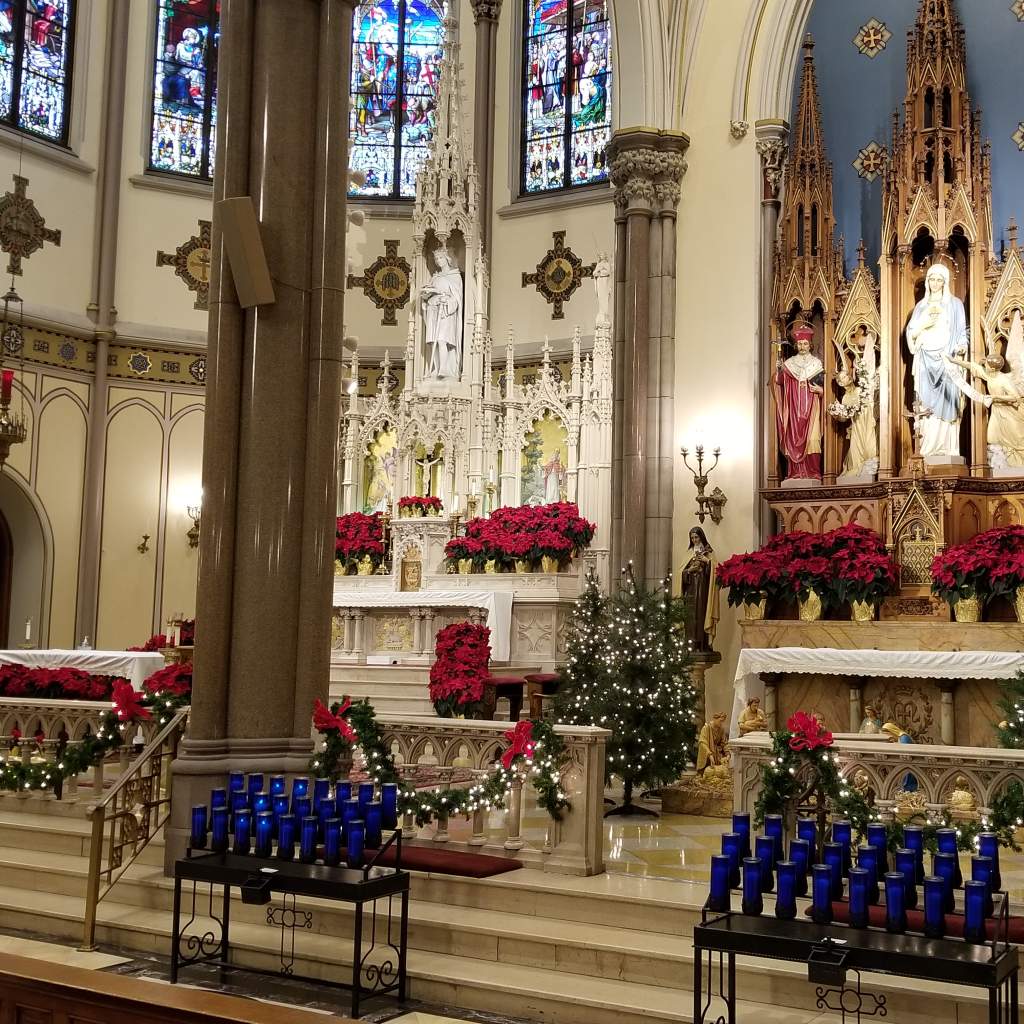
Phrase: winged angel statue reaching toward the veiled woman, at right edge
(1005, 401)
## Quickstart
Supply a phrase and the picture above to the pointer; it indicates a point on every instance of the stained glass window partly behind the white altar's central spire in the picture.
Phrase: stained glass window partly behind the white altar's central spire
(394, 114)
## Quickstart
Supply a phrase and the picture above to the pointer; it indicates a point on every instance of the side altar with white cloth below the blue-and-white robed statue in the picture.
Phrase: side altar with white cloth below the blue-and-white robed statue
(761, 671)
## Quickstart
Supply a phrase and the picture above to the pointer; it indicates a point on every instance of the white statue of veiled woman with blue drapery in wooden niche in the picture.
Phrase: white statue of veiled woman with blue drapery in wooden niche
(938, 330)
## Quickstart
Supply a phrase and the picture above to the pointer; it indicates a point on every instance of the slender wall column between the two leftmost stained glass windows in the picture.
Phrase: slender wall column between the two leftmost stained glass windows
(103, 311)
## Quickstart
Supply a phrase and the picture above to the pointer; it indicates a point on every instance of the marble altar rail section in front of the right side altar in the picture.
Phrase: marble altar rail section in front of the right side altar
(884, 766)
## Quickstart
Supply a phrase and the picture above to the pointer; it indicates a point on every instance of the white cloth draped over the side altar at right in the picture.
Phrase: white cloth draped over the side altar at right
(891, 664)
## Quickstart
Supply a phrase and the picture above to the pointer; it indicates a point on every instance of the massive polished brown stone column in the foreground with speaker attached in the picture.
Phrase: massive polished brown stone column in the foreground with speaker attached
(274, 388)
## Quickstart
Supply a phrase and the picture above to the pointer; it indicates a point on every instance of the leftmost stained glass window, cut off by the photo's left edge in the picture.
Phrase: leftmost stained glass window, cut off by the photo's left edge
(36, 39)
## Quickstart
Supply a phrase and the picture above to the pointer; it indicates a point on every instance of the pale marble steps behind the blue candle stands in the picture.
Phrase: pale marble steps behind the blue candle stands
(610, 950)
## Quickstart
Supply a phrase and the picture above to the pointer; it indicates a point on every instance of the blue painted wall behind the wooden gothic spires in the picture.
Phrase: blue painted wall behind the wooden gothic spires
(860, 94)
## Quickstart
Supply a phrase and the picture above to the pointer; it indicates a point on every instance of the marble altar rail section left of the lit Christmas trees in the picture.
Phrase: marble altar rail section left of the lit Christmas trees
(573, 846)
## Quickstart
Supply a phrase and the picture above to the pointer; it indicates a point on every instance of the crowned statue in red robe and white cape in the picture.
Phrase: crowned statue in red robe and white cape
(798, 387)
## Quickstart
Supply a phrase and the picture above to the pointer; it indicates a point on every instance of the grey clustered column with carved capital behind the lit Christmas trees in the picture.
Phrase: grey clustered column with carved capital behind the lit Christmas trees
(647, 168)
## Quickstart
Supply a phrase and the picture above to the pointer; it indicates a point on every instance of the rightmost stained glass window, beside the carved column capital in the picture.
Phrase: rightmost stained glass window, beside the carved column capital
(567, 90)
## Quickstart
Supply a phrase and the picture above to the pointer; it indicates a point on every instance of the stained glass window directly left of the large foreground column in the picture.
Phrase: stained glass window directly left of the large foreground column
(185, 88)
